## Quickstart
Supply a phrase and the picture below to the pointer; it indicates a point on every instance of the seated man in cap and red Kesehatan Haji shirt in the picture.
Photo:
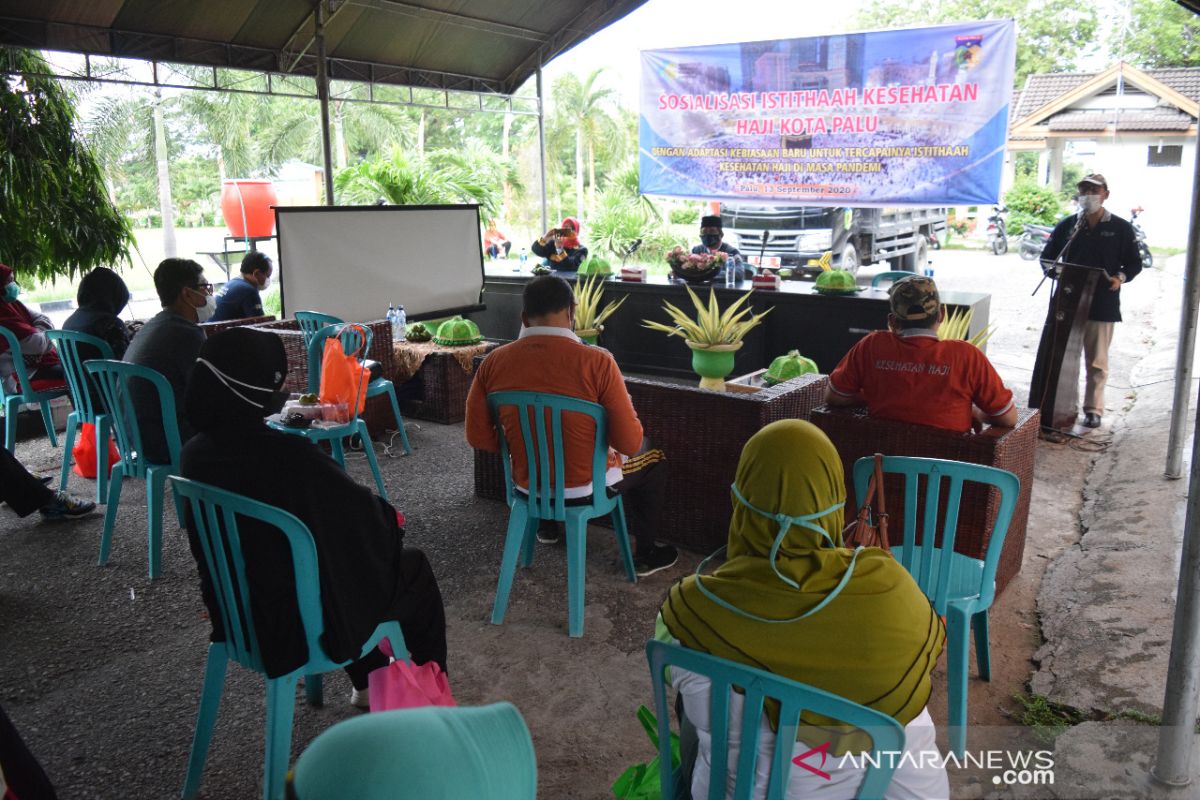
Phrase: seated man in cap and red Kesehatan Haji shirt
(907, 374)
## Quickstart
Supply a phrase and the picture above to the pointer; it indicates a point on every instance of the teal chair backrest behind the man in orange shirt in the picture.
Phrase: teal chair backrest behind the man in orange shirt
(542, 432)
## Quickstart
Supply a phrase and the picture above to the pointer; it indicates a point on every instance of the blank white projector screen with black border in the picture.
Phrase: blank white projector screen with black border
(352, 261)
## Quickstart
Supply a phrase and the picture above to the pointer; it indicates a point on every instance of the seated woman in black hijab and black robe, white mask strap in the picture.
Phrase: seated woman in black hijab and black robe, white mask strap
(367, 574)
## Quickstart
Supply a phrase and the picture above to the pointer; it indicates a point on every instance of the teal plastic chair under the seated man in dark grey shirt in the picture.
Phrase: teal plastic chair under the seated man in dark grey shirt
(115, 380)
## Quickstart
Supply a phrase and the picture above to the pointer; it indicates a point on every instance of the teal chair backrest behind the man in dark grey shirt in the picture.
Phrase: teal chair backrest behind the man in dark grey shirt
(116, 380)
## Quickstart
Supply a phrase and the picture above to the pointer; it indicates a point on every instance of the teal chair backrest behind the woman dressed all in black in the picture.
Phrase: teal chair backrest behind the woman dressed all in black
(215, 514)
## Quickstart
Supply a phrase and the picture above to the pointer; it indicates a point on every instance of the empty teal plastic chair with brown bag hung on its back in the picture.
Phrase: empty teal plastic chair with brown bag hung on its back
(962, 588)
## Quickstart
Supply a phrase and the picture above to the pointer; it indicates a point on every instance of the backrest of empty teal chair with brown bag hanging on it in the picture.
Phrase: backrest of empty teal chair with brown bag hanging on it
(928, 476)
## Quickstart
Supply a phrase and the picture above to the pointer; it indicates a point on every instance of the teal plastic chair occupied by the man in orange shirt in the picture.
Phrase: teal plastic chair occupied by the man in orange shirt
(545, 498)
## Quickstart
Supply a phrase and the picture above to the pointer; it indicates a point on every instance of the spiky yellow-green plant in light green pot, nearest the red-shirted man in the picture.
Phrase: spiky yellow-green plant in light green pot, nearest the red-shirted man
(715, 336)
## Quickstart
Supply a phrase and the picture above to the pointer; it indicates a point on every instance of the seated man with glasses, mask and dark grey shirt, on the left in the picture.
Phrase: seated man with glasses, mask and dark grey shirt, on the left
(169, 344)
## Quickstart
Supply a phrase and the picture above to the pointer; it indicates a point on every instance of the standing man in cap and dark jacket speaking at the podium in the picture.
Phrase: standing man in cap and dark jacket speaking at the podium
(1094, 237)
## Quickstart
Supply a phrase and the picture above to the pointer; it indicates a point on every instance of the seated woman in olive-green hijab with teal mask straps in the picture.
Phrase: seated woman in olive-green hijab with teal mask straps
(853, 623)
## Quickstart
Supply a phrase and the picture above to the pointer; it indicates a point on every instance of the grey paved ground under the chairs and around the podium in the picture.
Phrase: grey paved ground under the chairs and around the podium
(101, 669)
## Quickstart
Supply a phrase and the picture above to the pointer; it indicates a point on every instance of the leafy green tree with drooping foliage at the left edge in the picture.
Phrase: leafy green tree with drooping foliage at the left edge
(56, 216)
